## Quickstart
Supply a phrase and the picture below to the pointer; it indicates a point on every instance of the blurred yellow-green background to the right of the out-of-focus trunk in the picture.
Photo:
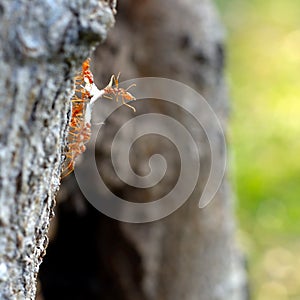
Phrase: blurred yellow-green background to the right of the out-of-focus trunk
(263, 66)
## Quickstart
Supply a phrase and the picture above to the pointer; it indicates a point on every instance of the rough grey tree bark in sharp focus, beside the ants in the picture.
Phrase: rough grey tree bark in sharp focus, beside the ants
(42, 44)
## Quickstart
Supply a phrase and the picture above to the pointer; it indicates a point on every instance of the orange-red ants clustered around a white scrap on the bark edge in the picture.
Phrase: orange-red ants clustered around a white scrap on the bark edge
(86, 93)
